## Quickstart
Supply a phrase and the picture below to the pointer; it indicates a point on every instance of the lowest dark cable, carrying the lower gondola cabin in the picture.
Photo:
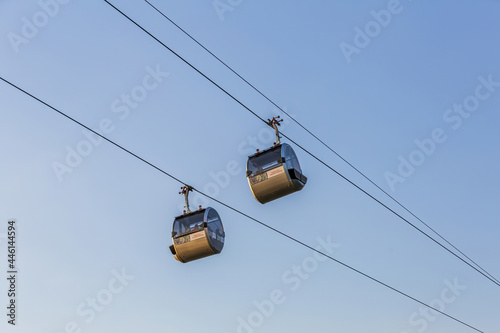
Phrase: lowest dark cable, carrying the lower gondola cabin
(237, 210)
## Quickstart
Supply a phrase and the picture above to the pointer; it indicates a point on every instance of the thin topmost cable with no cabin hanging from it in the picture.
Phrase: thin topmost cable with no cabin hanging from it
(321, 141)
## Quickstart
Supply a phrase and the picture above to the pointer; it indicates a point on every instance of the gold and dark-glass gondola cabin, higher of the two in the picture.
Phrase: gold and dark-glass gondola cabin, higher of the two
(274, 173)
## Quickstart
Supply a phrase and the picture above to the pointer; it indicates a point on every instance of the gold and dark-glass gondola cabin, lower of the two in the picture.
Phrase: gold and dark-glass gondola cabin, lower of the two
(197, 235)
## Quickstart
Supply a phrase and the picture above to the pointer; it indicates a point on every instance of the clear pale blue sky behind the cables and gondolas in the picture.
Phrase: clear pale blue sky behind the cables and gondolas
(112, 214)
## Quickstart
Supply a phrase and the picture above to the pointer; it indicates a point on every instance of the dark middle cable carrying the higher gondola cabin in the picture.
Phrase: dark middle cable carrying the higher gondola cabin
(305, 150)
